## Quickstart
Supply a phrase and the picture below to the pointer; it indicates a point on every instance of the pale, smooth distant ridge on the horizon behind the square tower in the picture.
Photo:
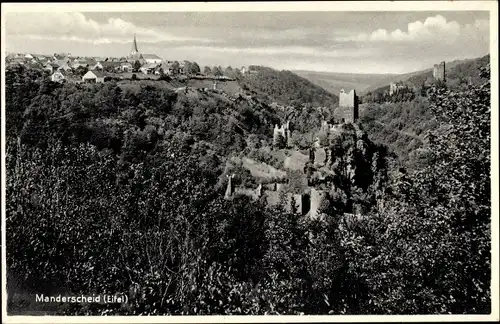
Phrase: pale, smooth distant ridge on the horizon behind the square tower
(364, 83)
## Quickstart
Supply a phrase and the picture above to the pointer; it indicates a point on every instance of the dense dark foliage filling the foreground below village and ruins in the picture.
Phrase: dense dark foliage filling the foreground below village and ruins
(87, 215)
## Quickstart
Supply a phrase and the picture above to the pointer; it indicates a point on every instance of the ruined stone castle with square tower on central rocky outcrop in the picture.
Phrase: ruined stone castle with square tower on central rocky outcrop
(307, 193)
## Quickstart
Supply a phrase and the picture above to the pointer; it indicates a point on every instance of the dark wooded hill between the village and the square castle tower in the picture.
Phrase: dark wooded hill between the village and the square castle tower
(286, 88)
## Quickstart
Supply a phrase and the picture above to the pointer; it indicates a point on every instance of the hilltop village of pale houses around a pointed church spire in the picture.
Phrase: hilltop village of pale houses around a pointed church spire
(135, 66)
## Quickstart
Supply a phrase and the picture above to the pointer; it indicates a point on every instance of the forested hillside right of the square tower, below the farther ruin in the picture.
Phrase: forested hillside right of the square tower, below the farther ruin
(402, 121)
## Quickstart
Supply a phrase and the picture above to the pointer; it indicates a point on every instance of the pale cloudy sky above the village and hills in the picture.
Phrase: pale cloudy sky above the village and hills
(350, 42)
